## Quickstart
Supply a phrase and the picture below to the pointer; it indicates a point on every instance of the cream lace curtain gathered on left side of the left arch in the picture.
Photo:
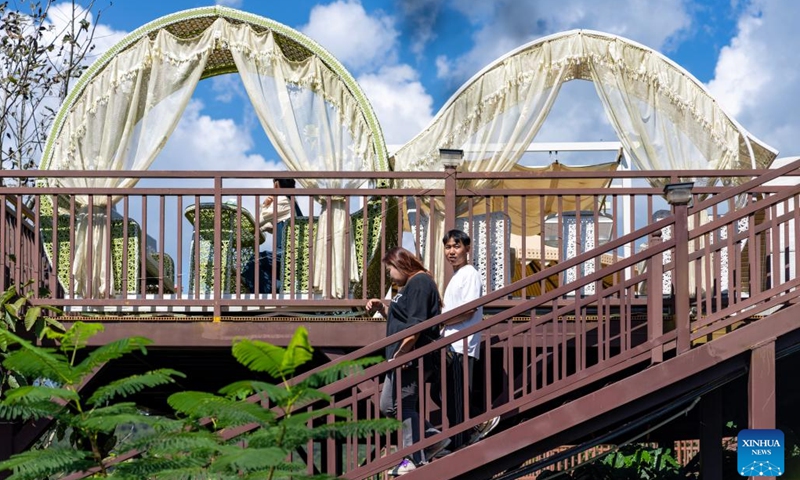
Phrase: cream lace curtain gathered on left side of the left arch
(121, 122)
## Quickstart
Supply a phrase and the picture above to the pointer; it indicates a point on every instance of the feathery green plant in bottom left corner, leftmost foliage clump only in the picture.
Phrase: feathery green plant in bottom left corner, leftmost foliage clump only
(55, 377)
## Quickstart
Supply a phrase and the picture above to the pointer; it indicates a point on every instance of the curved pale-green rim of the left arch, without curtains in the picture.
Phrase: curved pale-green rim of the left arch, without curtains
(378, 142)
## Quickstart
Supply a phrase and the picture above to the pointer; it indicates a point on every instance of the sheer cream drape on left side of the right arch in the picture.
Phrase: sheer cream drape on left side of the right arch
(493, 121)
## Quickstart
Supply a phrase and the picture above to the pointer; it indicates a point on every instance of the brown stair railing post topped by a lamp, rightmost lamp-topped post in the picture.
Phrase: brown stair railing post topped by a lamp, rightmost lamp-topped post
(679, 195)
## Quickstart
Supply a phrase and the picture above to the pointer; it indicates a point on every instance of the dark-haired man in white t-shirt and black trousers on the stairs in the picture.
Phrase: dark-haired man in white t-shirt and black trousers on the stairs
(464, 287)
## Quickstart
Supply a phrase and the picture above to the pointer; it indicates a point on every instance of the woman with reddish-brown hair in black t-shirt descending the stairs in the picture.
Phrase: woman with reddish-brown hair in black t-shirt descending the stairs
(416, 301)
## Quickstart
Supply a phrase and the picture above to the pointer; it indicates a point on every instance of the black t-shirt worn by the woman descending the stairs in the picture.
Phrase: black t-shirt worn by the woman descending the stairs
(416, 302)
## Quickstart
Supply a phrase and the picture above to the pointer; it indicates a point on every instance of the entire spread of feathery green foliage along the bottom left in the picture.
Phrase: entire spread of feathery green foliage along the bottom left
(188, 445)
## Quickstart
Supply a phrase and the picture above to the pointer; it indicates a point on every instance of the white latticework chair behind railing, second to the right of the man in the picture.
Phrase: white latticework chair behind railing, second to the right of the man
(577, 229)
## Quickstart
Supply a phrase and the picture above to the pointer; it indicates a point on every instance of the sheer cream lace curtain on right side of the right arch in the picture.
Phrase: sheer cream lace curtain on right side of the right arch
(663, 119)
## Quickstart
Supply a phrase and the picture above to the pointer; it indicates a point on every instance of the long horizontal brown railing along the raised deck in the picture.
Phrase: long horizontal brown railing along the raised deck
(192, 246)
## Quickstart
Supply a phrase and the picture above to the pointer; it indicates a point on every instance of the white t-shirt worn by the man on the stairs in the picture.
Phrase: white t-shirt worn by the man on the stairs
(464, 287)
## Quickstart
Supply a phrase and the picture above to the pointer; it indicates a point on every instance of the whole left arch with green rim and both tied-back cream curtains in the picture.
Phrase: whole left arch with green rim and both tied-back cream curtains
(125, 106)
